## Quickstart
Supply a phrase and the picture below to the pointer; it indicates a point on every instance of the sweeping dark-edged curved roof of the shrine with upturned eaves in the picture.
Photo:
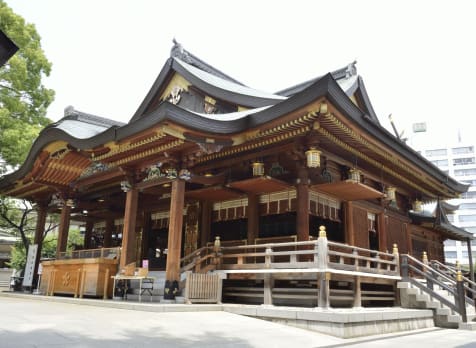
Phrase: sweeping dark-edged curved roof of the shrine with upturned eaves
(84, 131)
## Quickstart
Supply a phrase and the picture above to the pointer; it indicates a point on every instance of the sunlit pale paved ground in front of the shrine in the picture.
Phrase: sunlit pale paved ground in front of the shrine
(35, 323)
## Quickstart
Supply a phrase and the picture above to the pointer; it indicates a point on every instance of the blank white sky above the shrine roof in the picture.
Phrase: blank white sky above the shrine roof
(417, 58)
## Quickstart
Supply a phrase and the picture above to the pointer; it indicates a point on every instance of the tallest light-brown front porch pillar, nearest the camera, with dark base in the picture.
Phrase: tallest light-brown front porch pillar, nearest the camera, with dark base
(172, 271)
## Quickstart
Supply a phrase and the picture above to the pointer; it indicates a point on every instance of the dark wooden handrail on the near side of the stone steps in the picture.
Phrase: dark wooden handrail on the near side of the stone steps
(413, 270)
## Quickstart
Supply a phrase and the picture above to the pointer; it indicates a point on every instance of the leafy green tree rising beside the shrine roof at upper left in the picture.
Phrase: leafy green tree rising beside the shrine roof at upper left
(23, 98)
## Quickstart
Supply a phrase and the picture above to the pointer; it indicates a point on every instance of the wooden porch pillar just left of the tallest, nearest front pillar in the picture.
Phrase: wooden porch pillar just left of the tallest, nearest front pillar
(128, 253)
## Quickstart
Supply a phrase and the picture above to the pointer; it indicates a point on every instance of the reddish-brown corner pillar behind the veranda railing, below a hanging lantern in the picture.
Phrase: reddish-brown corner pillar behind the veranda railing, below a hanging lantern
(302, 206)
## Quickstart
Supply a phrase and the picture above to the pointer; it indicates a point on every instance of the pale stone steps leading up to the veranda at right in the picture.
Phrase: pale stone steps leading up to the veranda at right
(413, 297)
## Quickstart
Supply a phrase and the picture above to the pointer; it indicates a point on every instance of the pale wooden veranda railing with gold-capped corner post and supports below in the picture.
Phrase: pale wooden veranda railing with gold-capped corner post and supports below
(319, 257)
